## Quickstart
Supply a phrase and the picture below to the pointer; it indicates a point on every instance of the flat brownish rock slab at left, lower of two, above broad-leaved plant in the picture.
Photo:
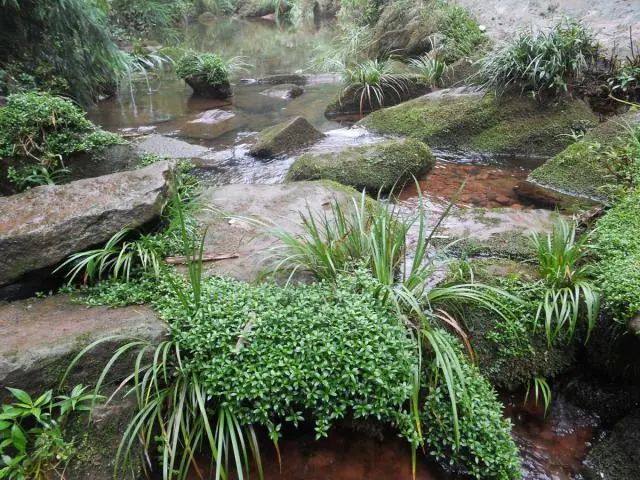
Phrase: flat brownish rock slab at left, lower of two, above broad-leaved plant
(44, 335)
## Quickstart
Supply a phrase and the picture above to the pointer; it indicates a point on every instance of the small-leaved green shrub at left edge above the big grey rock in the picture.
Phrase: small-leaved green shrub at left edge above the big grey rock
(46, 129)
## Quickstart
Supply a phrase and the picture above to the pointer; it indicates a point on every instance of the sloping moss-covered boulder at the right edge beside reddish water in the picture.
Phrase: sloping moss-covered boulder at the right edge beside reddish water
(581, 169)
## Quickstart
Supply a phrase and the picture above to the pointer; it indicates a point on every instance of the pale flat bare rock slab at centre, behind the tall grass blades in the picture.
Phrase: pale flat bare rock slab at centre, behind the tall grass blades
(279, 204)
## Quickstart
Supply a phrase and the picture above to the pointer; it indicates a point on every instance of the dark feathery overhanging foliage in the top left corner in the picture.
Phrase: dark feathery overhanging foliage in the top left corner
(64, 45)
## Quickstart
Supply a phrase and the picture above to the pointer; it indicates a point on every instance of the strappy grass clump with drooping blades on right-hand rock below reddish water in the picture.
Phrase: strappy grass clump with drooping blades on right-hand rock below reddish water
(568, 281)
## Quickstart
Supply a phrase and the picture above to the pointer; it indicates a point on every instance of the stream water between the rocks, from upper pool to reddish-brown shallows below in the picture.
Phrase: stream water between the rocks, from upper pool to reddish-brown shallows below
(552, 447)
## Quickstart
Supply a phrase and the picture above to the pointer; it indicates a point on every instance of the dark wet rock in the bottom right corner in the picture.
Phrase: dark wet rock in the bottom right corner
(615, 457)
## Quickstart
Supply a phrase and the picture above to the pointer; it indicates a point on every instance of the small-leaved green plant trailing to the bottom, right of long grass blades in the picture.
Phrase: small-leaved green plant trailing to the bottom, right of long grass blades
(486, 449)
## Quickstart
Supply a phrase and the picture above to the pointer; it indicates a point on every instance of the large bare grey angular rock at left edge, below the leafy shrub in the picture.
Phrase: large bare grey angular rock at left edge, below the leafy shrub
(41, 227)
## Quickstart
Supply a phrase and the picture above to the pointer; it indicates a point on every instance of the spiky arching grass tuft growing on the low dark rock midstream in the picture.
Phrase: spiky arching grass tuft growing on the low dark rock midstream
(373, 81)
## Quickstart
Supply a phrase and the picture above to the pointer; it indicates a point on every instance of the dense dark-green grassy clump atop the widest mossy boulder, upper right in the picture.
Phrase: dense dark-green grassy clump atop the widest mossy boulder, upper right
(544, 62)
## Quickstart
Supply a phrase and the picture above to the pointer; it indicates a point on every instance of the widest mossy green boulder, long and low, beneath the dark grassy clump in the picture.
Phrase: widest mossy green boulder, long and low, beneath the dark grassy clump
(470, 120)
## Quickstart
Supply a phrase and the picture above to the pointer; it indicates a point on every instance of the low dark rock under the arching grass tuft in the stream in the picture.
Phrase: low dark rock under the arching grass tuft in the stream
(351, 101)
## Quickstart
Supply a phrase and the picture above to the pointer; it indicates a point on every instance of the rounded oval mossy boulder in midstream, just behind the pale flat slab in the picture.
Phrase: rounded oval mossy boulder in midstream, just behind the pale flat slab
(376, 167)
